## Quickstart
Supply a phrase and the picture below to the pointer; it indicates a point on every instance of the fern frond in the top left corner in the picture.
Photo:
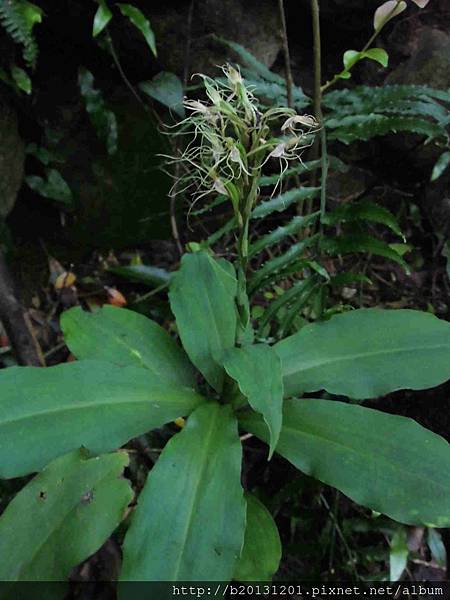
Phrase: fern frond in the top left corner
(18, 18)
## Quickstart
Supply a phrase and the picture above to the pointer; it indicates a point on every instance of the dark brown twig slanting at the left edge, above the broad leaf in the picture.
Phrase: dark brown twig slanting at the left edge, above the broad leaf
(16, 322)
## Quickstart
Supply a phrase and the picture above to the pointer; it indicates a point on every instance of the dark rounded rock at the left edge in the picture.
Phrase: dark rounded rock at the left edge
(12, 157)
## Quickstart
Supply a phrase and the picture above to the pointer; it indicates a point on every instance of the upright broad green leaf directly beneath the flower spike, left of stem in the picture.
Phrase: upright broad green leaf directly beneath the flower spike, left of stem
(202, 297)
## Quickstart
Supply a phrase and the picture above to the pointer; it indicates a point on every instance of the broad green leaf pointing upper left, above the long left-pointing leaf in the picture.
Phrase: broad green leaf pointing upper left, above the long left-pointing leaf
(126, 338)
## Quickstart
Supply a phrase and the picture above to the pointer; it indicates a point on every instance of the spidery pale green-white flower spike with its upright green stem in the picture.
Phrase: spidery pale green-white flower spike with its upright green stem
(231, 142)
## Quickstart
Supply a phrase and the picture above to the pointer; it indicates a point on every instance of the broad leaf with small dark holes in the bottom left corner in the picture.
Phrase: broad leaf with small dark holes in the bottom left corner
(62, 516)
